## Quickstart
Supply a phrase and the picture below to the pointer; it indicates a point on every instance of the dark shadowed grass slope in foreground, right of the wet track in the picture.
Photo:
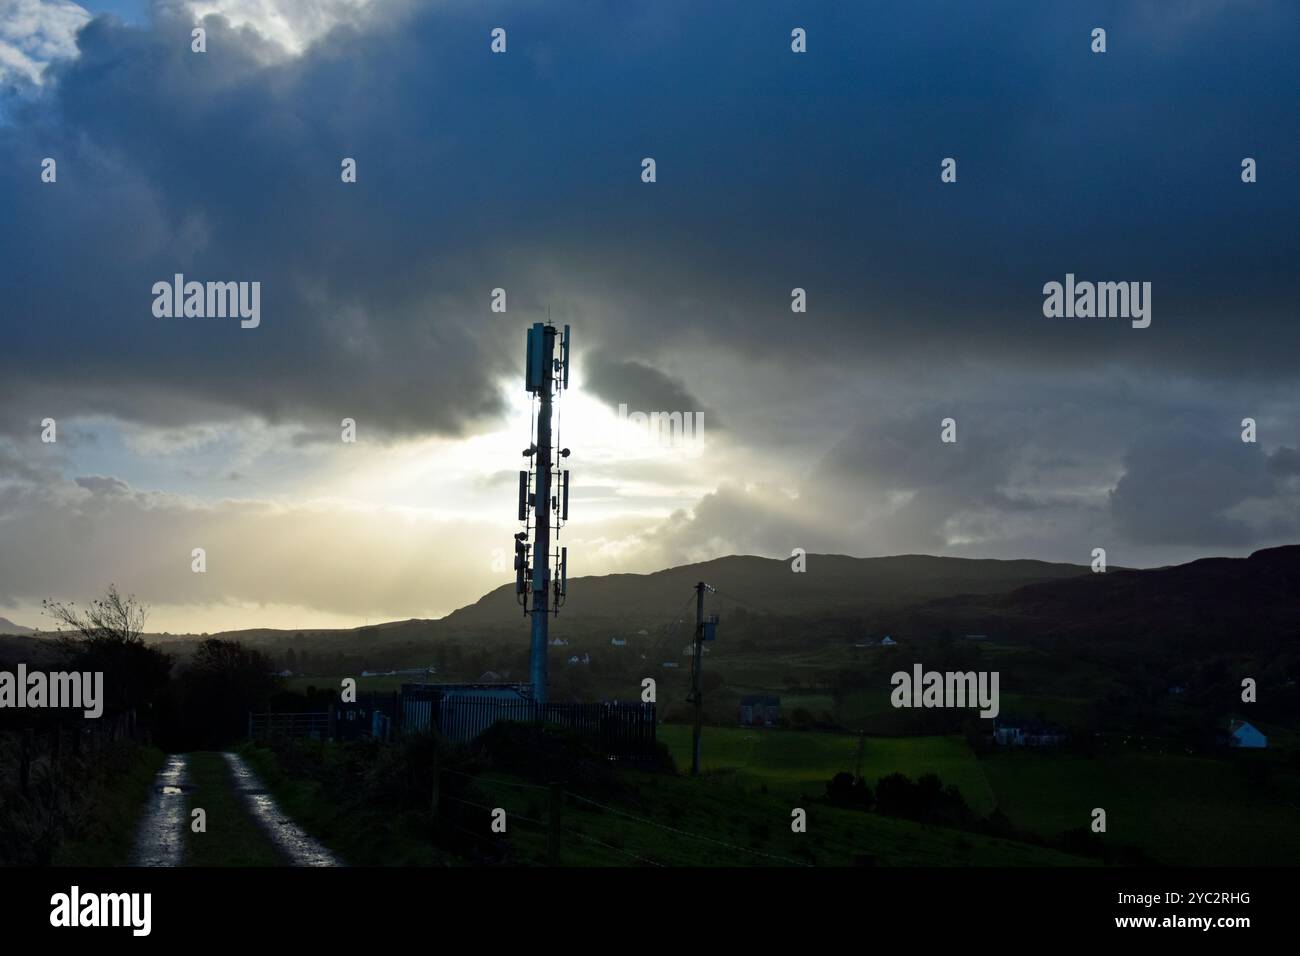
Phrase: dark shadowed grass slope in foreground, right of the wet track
(729, 825)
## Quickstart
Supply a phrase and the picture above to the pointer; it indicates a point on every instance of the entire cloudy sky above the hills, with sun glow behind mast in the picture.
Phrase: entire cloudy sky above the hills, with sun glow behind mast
(523, 171)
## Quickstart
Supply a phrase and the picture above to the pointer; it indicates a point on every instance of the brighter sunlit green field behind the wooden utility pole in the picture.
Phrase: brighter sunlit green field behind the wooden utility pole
(796, 763)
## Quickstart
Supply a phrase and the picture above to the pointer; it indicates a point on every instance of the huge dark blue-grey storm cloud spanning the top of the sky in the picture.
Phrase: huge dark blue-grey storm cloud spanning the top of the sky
(523, 171)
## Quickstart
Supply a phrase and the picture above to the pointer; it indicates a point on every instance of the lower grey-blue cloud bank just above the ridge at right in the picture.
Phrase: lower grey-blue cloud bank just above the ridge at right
(1154, 482)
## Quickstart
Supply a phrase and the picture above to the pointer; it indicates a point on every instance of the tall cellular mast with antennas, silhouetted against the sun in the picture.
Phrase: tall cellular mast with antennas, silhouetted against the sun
(541, 568)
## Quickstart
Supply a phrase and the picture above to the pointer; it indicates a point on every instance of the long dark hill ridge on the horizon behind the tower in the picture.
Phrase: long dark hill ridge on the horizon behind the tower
(1230, 600)
